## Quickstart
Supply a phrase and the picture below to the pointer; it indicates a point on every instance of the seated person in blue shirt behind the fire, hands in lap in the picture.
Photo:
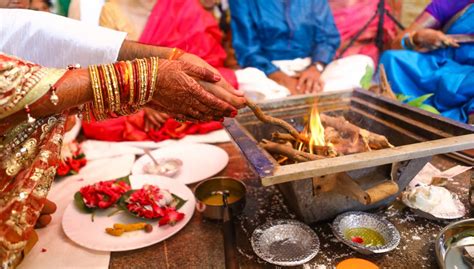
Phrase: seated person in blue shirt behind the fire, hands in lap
(290, 41)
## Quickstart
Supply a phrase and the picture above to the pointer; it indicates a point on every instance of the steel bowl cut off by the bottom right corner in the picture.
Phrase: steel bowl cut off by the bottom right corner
(445, 237)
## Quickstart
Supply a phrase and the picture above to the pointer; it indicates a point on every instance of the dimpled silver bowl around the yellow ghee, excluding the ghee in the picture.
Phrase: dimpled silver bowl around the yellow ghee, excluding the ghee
(357, 219)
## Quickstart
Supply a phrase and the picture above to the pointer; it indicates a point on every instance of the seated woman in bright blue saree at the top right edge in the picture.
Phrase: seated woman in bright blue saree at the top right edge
(433, 62)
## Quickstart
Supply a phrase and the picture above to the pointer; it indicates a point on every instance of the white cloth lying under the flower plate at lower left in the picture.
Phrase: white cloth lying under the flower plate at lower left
(54, 249)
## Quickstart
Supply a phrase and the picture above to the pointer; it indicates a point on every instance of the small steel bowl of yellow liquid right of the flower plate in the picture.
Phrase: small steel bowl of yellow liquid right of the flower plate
(206, 188)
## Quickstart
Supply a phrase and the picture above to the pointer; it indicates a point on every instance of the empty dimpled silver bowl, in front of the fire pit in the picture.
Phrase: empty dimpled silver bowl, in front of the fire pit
(285, 242)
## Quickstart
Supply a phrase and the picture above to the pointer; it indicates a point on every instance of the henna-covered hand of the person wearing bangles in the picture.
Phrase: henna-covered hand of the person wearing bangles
(179, 93)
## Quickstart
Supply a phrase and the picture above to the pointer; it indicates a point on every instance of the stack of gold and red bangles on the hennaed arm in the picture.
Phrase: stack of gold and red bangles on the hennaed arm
(121, 88)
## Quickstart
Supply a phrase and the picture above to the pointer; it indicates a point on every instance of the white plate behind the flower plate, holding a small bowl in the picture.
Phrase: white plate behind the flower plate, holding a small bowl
(200, 161)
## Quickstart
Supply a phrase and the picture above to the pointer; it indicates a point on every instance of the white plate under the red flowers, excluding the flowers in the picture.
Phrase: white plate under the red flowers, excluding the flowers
(80, 229)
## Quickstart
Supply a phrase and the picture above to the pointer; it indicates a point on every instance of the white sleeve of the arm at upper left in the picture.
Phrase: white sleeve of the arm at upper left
(55, 41)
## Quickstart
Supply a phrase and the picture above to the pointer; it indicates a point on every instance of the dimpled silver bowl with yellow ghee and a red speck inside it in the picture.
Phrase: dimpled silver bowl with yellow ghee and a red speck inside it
(366, 233)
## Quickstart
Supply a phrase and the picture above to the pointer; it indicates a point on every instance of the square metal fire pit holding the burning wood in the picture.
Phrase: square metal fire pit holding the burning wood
(416, 135)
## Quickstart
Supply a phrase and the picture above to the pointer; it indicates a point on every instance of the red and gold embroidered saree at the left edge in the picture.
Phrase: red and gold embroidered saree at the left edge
(29, 154)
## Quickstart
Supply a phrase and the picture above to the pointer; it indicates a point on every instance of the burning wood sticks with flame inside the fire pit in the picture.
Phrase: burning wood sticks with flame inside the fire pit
(324, 137)
